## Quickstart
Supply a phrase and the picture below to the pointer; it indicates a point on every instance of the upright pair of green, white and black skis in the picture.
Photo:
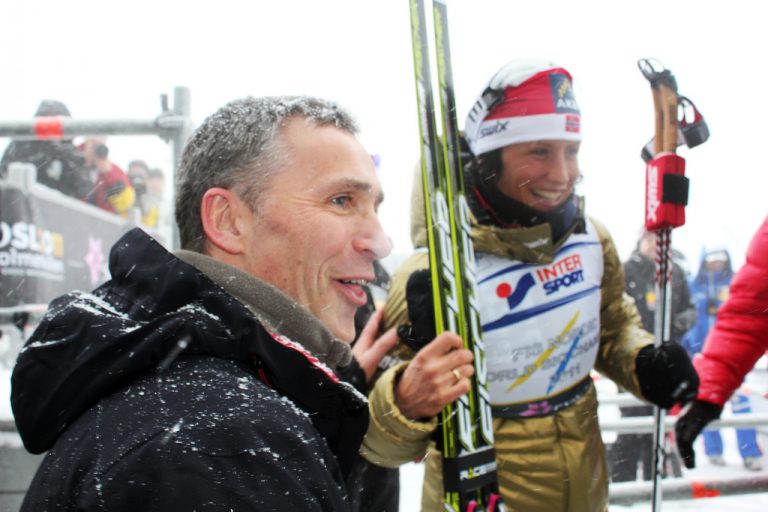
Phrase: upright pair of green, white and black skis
(466, 437)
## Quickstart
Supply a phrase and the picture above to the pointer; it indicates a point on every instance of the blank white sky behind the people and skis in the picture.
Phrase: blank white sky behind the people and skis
(113, 59)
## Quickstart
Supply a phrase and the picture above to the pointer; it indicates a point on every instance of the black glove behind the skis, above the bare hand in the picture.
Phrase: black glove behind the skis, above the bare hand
(418, 295)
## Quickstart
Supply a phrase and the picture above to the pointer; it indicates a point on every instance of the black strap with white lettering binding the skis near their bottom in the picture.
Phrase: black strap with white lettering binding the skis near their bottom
(469, 470)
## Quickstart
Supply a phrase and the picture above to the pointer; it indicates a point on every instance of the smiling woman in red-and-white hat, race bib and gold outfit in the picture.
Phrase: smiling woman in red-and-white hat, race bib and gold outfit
(567, 315)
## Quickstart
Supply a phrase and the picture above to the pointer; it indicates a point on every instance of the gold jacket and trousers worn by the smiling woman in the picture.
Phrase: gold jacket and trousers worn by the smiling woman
(549, 463)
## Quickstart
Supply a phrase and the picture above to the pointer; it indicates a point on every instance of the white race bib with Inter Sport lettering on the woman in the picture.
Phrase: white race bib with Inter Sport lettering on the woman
(541, 323)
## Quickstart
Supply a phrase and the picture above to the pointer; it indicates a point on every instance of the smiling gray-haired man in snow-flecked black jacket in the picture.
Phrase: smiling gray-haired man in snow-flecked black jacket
(206, 379)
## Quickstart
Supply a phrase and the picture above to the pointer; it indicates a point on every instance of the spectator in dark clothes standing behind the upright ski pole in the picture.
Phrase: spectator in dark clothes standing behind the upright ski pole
(629, 450)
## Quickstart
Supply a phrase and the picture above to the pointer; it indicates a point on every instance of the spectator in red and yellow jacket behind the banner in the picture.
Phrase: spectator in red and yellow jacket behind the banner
(112, 190)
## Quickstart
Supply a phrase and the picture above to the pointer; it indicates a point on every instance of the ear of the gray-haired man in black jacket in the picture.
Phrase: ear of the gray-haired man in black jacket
(220, 210)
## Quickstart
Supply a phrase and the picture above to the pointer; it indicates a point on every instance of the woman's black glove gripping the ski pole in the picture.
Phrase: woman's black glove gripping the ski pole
(666, 375)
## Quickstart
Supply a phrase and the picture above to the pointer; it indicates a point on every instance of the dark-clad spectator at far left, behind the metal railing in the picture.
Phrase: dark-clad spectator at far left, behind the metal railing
(59, 165)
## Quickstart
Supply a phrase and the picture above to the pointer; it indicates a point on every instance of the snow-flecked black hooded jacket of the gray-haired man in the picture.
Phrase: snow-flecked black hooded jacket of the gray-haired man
(161, 391)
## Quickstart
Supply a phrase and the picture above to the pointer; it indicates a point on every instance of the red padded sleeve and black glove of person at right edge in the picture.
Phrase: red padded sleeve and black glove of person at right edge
(737, 340)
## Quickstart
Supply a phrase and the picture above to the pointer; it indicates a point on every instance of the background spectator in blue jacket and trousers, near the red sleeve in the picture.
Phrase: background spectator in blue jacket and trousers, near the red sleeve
(710, 289)
